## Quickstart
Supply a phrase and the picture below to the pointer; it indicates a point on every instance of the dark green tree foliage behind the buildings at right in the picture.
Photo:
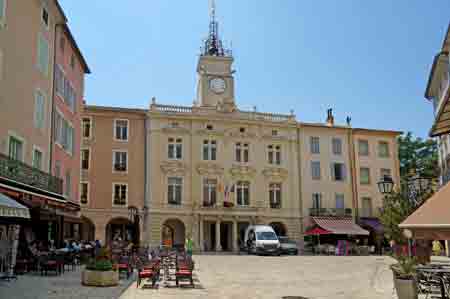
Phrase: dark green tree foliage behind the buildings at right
(418, 155)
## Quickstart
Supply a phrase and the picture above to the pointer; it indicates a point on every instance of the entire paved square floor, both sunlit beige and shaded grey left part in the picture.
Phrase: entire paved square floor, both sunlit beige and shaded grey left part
(226, 276)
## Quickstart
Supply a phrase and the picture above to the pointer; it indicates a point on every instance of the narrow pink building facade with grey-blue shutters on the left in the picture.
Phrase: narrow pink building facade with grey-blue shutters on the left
(68, 90)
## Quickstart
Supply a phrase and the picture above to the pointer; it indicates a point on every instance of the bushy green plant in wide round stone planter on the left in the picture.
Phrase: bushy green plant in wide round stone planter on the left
(99, 272)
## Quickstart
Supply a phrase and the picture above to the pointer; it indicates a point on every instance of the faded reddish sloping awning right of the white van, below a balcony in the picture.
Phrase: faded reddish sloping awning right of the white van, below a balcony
(340, 226)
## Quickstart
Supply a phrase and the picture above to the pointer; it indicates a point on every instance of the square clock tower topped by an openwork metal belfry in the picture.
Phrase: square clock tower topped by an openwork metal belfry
(215, 87)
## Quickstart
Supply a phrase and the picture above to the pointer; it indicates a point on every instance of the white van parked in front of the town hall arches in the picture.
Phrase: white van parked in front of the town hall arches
(261, 239)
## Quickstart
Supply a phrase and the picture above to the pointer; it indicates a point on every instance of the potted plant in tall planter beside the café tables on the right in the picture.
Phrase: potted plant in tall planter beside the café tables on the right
(405, 282)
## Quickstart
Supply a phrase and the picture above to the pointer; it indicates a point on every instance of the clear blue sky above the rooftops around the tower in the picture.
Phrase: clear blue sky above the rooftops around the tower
(366, 59)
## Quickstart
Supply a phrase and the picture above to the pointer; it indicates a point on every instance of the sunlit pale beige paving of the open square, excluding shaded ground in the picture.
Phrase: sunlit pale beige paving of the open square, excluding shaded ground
(274, 277)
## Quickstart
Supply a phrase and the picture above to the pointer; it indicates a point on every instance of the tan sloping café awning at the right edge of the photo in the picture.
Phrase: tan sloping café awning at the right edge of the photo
(434, 214)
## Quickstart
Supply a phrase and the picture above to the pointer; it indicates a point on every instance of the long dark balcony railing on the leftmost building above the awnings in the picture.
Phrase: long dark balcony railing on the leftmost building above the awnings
(23, 173)
